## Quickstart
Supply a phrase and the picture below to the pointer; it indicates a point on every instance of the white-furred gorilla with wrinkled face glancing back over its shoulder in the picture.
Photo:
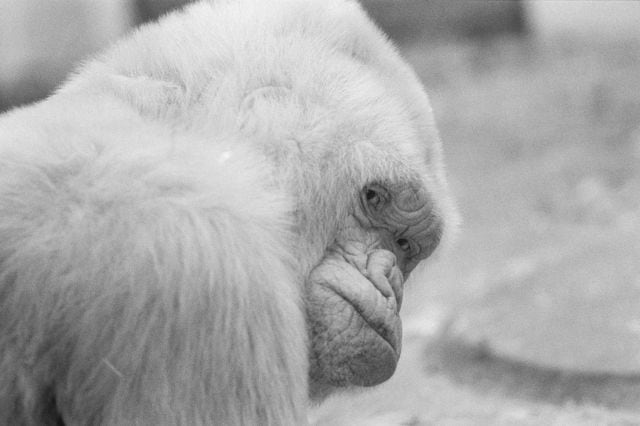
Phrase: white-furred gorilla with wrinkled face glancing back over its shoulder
(211, 222)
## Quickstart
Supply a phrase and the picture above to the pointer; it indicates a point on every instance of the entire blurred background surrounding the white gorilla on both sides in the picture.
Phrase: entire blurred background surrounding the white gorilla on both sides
(533, 317)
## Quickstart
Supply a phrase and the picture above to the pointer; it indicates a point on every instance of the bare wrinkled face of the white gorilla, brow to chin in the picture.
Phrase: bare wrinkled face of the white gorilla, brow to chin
(355, 293)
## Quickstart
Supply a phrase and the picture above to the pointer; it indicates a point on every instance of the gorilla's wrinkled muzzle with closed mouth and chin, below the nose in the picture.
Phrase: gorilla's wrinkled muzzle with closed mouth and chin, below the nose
(355, 329)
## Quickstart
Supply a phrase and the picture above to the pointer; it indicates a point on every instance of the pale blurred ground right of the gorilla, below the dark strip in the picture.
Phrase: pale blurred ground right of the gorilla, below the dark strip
(533, 318)
